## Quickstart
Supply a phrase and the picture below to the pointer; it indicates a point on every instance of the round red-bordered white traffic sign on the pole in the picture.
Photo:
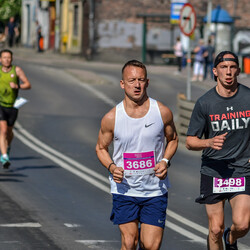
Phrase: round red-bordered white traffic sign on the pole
(187, 19)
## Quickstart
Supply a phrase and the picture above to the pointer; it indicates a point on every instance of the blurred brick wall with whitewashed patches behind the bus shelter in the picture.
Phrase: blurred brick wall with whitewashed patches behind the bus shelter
(119, 30)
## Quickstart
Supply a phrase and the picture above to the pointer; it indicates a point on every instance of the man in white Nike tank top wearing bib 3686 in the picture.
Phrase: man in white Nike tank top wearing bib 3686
(144, 139)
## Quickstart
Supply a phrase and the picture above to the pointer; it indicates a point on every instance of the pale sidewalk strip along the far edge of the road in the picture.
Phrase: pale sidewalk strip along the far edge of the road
(72, 63)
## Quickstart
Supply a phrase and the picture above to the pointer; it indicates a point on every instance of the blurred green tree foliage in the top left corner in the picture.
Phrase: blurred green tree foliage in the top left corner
(9, 8)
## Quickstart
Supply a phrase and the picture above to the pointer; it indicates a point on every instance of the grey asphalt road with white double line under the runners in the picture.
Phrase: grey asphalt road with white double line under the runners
(56, 194)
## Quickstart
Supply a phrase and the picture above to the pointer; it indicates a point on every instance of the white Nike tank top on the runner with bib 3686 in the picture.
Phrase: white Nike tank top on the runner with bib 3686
(136, 135)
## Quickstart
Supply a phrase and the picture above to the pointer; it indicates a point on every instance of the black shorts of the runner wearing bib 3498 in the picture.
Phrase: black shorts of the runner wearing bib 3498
(208, 197)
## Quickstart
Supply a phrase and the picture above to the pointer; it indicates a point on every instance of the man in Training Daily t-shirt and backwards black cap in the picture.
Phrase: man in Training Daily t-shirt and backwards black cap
(220, 126)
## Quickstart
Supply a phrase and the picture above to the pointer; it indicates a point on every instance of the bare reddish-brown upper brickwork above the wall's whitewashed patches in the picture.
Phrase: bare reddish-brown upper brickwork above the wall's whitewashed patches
(128, 9)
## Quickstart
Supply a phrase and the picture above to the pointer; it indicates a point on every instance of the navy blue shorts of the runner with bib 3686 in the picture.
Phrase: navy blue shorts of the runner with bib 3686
(150, 210)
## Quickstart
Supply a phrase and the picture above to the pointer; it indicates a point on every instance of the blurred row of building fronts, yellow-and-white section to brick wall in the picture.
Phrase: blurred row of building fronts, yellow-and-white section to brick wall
(116, 28)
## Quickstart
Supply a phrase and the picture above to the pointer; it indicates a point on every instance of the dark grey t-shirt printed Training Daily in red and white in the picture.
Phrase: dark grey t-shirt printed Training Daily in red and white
(214, 115)
